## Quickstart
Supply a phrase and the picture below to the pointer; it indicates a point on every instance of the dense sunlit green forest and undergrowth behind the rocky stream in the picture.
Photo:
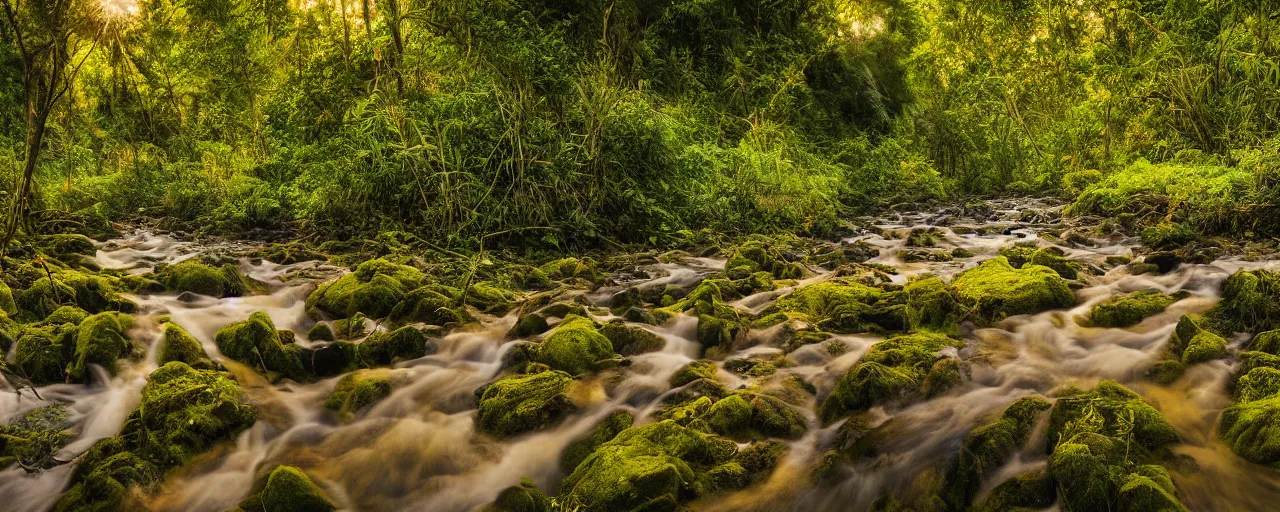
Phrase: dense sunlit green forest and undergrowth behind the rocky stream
(556, 124)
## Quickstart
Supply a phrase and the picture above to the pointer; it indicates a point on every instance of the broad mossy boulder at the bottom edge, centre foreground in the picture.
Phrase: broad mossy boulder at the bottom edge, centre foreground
(644, 467)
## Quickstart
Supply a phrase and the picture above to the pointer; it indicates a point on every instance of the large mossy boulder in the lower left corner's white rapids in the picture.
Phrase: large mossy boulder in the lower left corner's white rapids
(184, 413)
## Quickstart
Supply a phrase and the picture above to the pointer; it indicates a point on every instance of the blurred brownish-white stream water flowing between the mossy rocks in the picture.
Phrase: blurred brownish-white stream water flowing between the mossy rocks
(419, 449)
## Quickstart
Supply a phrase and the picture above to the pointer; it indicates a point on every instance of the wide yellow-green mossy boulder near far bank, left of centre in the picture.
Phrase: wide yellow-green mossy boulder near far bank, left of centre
(376, 289)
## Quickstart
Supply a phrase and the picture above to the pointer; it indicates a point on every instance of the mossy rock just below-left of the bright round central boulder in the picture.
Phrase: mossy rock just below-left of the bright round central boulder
(523, 404)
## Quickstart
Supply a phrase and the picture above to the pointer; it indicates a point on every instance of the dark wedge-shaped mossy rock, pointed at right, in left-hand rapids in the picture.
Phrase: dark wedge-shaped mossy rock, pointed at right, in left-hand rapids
(257, 342)
